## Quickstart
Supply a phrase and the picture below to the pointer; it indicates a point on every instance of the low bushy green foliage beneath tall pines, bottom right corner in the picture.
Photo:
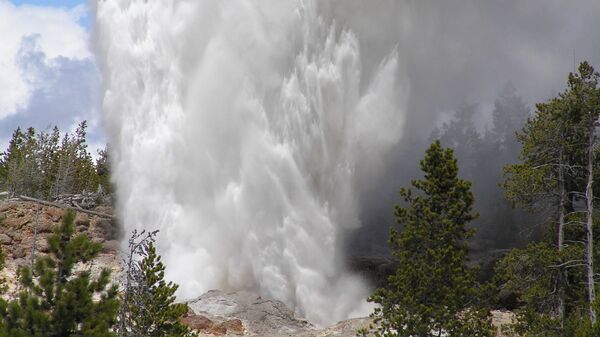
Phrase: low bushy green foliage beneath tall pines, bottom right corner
(534, 274)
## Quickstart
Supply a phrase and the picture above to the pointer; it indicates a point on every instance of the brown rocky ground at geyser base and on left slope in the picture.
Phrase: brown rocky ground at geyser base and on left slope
(214, 313)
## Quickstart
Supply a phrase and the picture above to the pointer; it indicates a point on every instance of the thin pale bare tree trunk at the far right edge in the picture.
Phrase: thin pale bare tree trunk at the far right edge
(589, 195)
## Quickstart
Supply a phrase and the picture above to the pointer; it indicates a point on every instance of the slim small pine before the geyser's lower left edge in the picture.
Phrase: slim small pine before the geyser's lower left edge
(151, 310)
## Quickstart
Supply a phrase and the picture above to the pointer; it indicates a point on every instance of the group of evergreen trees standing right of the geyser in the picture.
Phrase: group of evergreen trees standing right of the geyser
(434, 291)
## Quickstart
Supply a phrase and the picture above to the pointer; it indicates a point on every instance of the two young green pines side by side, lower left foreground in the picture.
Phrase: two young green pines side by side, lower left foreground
(58, 300)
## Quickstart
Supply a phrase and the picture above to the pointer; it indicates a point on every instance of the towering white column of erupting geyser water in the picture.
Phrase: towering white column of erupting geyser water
(237, 128)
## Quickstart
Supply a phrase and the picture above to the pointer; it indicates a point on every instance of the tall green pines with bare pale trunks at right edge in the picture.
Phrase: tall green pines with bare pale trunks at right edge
(550, 277)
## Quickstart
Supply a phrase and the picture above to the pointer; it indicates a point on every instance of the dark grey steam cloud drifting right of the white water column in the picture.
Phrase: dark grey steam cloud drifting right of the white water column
(457, 54)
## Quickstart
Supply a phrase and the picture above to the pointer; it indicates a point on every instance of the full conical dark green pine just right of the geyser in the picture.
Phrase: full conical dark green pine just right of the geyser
(433, 292)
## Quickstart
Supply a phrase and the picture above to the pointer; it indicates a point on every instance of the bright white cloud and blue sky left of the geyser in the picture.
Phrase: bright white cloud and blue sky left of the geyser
(49, 76)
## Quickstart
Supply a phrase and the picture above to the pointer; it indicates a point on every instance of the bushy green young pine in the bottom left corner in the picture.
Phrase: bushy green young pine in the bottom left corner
(56, 300)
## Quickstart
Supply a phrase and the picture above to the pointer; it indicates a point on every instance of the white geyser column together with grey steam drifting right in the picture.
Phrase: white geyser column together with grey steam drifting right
(264, 137)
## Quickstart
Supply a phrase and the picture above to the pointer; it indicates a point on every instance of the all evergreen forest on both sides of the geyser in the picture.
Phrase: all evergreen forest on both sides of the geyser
(549, 161)
